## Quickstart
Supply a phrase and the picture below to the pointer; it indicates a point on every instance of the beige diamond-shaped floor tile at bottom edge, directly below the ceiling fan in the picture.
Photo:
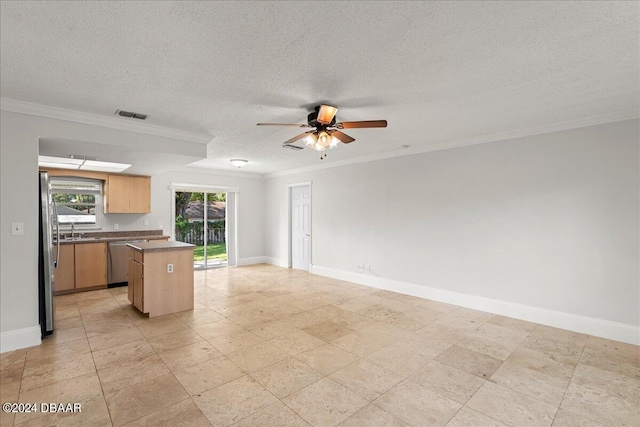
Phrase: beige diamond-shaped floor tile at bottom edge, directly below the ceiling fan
(324, 403)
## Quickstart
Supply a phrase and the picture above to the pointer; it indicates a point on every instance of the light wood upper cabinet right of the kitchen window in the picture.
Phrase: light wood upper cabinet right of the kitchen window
(128, 194)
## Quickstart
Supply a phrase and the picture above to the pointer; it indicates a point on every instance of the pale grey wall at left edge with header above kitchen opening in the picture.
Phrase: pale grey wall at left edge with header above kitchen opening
(20, 134)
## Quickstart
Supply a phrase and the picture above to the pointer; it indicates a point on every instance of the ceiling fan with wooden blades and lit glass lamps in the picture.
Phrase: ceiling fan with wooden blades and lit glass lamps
(327, 133)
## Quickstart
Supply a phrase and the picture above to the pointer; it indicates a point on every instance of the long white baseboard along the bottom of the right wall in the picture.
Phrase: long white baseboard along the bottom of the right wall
(573, 322)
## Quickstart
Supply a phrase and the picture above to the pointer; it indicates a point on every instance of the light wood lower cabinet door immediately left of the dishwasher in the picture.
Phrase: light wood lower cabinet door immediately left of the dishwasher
(91, 265)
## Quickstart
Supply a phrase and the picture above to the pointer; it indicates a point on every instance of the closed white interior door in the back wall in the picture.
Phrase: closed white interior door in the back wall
(301, 227)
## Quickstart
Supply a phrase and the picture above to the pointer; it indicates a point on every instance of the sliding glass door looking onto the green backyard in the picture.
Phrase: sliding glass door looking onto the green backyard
(200, 219)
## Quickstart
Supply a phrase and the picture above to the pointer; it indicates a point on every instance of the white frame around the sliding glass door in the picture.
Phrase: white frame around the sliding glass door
(232, 258)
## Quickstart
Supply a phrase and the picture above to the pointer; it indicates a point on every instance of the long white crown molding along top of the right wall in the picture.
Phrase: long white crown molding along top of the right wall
(556, 127)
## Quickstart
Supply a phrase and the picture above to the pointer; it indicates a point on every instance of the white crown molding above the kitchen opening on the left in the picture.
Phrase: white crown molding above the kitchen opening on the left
(22, 107)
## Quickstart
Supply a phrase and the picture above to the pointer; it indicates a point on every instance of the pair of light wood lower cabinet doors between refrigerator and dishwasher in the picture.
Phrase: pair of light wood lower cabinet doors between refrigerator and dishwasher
(81, 267)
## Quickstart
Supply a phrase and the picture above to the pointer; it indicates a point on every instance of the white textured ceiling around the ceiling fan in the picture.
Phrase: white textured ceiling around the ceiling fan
(439, 72)
